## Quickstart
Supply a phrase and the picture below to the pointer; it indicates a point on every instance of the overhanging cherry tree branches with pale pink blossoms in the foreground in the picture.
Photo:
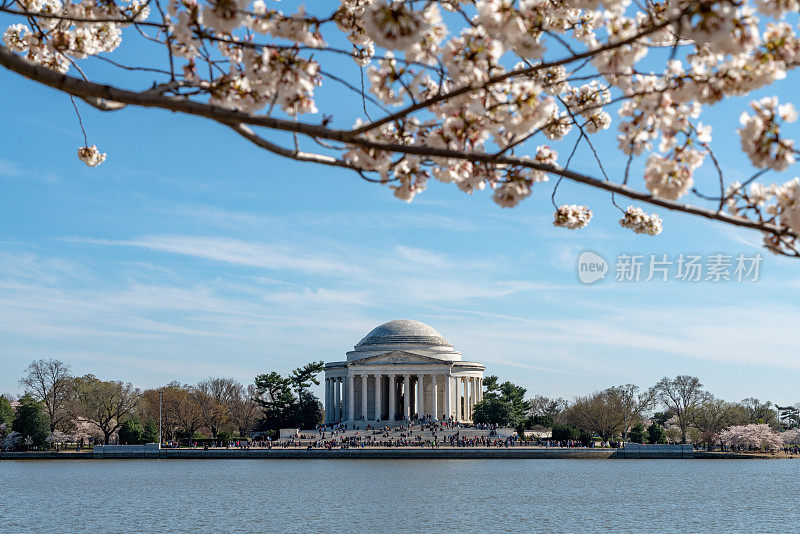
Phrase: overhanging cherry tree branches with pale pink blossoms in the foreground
(491, 95)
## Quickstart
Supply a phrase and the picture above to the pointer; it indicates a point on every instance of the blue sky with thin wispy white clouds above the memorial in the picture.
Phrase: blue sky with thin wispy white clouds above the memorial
(190, 253)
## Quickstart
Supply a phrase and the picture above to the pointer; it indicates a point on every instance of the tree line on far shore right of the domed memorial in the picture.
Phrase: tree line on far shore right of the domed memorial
(676, 409)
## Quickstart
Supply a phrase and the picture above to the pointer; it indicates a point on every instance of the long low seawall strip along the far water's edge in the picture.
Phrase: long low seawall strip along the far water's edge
(399, 453)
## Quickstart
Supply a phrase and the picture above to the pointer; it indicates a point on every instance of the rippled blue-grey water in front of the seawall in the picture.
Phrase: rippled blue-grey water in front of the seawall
(392, 495)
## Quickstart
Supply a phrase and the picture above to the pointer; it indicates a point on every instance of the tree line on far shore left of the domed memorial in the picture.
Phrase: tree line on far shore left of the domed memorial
(58, 407)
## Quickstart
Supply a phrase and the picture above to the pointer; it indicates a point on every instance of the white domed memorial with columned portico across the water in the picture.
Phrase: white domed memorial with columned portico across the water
(402, 370)
